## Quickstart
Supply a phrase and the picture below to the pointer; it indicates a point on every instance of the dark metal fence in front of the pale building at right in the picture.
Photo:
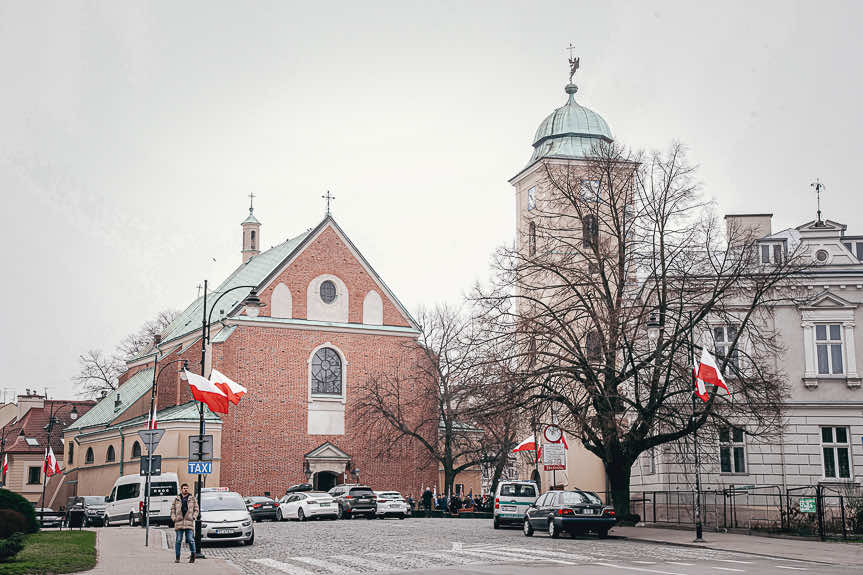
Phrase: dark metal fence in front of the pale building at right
(813, 510)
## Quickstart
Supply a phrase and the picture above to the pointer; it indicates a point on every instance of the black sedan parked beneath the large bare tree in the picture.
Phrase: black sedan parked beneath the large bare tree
(575, 512)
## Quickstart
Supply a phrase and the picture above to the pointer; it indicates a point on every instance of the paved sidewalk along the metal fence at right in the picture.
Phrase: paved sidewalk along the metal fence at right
(833, 553)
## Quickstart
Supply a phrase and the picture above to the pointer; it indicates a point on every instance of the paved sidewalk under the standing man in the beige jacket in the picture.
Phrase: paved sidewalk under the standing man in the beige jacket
(121, 550)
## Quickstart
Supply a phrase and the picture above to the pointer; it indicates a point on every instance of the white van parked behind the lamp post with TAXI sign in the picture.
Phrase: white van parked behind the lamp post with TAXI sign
(126, 502)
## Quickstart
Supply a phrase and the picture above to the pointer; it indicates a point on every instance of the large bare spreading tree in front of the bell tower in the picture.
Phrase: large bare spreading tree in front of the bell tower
(618, 243)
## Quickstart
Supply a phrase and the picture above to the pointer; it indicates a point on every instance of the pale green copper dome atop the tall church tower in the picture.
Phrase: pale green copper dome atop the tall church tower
(570, 131)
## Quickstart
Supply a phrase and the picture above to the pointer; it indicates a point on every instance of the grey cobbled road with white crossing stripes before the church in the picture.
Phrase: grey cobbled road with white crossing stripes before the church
(472, 546)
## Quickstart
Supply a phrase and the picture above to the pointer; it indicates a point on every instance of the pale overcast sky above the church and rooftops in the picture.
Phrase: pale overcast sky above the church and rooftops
(131, 134)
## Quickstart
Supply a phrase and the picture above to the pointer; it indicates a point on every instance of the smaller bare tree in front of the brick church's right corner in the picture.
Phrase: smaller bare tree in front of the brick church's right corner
(430, 397)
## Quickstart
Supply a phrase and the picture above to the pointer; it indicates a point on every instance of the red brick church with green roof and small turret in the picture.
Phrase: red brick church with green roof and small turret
(328, 322)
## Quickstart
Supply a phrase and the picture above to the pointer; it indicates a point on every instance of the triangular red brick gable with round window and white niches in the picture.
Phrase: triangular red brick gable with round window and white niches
(327, 279)
